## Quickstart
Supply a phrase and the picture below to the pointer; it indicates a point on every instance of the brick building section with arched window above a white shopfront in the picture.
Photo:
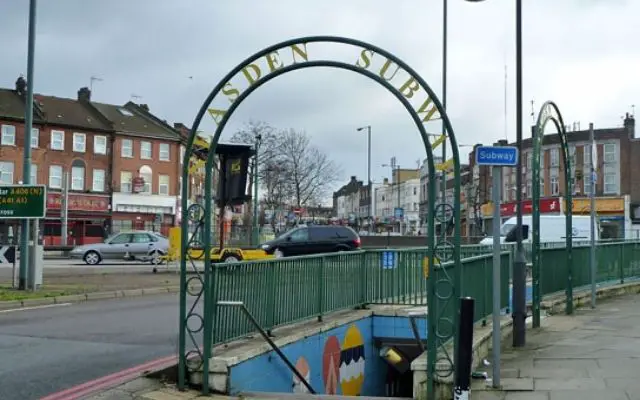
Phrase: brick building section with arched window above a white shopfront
(145, 167)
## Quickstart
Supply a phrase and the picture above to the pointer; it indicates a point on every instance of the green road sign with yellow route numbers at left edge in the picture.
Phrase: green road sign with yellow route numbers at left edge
(22, 201)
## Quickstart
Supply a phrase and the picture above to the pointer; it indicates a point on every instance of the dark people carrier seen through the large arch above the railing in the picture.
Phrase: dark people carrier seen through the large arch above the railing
(313, 239)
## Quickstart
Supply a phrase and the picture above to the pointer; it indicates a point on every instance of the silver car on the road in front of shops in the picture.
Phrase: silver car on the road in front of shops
(135, 245)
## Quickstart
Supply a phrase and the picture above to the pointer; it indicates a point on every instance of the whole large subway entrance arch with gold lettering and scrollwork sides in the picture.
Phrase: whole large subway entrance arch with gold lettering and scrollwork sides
(420, 101)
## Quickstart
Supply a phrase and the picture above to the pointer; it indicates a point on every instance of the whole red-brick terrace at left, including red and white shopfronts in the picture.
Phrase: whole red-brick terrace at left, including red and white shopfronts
(121, 164)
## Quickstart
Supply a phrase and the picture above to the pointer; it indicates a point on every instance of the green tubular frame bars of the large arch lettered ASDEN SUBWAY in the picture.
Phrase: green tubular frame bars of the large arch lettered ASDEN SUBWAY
(209, 305)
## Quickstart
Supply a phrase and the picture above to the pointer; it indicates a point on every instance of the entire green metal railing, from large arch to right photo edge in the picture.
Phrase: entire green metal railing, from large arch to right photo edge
(283, 291)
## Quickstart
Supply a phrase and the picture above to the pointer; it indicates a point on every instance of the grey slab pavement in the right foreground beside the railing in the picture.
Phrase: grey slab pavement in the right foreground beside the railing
(594, 354)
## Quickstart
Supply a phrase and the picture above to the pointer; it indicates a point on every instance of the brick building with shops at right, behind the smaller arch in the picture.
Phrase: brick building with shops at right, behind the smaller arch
(617, 190)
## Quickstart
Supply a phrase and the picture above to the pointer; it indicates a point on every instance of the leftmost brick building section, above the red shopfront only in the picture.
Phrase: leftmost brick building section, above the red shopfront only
(68, 140)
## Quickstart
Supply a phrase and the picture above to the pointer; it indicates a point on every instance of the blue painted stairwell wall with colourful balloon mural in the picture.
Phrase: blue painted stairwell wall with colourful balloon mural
(346, 353)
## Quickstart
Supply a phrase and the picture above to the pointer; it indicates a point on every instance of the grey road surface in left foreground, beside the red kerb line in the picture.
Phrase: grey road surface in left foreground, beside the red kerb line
(43, 351)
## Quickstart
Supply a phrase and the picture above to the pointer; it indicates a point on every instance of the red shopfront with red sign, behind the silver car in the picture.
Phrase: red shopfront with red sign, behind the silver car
(88, 219)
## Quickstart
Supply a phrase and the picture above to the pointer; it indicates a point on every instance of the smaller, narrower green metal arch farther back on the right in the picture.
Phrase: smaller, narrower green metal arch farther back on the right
(550, 112)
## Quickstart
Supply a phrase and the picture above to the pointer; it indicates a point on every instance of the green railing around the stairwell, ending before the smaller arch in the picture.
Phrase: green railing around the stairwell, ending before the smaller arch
(284, 291)
